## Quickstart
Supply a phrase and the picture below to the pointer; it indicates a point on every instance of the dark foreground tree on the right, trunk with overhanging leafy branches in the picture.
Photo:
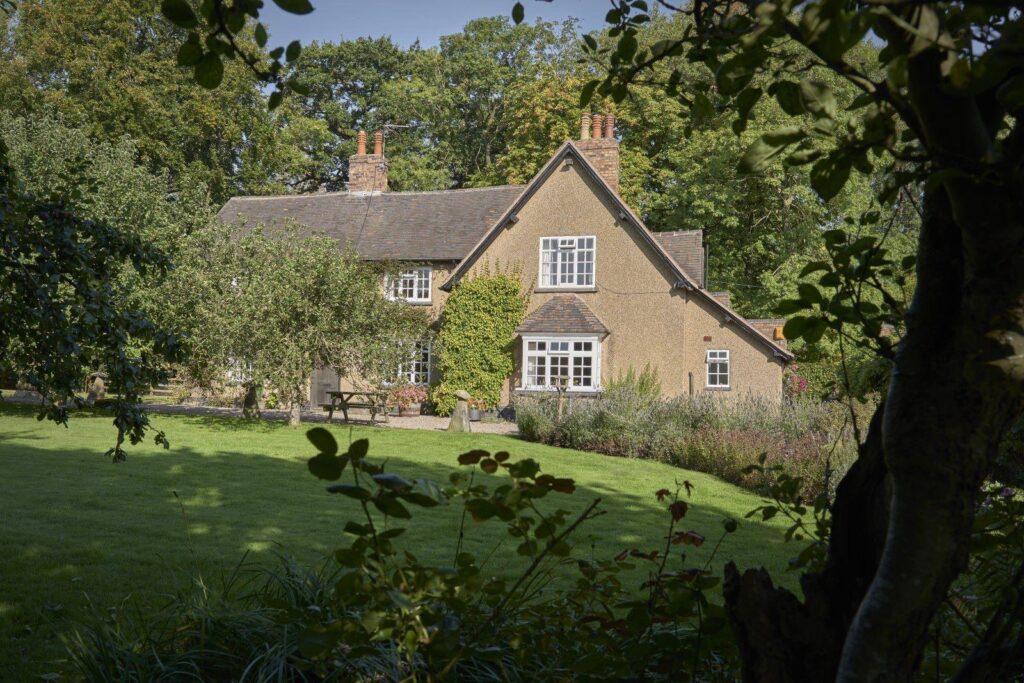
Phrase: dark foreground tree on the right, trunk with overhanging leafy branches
(941, 117)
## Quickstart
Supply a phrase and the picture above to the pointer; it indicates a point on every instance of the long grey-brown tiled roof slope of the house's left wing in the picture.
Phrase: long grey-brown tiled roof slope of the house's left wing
(407, 227)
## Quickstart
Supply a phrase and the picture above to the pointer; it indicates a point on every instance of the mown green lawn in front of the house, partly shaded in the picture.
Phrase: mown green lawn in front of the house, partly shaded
(75, 528)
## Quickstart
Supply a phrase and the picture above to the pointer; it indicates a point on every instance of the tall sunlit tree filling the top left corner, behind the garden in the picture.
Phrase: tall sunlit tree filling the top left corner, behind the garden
(112, 69)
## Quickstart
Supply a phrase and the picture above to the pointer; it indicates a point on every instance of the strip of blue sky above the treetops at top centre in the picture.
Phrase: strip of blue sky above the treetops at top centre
(407, 21)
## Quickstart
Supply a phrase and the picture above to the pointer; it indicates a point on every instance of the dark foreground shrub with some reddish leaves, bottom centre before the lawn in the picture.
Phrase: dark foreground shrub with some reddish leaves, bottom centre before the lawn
(463, 621)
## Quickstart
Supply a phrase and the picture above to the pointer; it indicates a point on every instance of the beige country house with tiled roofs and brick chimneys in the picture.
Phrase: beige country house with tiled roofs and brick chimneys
(607, 294)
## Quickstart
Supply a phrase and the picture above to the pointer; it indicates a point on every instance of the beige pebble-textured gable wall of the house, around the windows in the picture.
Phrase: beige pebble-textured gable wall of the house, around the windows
(650, 322)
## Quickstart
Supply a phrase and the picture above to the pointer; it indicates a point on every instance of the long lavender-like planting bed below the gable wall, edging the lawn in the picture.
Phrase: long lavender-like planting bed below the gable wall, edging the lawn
(809, 440)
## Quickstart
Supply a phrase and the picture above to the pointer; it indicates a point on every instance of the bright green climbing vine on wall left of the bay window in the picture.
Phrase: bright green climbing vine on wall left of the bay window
(475, 347)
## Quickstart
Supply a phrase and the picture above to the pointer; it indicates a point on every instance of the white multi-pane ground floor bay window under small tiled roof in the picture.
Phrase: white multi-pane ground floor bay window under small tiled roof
(551, 363)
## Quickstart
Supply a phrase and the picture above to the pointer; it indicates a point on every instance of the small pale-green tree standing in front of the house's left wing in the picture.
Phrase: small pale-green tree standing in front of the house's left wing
(272, 308)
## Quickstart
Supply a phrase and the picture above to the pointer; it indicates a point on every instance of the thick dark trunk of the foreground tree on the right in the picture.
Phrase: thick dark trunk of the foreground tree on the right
(912, 493)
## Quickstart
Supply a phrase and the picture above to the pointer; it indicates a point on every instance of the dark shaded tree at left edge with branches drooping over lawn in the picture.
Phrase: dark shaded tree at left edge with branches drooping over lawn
(64, 309)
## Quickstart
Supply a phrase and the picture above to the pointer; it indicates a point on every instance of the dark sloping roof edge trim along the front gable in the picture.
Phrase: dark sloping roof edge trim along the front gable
(684, 280)
